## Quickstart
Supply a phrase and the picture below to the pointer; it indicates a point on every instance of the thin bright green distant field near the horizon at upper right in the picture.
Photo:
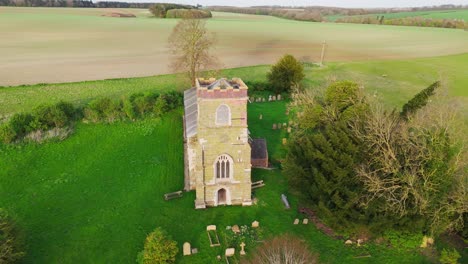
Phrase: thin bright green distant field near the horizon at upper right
(439, 14)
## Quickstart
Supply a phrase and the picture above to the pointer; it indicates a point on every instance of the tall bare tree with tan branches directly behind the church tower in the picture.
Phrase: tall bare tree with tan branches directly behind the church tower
(191, 42)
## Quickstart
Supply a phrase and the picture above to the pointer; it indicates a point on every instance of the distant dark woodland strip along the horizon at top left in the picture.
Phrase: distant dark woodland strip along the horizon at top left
(73, 3)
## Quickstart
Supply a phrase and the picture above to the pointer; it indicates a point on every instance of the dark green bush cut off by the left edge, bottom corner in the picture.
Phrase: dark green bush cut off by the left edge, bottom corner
(10, 243)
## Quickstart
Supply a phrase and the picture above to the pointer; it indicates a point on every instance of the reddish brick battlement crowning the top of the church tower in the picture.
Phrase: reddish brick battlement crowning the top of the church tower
(221, 88)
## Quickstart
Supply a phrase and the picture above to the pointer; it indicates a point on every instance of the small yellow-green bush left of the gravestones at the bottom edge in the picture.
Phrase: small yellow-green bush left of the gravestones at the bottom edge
(159, 248)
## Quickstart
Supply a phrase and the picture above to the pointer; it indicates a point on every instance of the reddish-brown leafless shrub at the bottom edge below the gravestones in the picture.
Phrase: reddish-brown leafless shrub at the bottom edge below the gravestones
(284, 249)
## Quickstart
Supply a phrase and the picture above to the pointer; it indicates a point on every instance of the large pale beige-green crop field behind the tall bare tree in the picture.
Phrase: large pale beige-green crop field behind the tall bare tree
(55, 45)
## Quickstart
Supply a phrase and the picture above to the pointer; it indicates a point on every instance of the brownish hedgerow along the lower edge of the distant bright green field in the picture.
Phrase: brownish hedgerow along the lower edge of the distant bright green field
(405, 21)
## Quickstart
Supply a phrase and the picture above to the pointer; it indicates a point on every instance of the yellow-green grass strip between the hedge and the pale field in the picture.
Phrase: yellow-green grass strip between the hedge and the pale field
(396, 81)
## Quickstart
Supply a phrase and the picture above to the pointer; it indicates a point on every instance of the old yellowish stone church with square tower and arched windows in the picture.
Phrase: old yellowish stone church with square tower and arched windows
(217, 149)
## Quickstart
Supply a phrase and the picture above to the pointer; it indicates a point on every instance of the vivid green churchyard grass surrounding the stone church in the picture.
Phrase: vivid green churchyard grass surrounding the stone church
(93, 197)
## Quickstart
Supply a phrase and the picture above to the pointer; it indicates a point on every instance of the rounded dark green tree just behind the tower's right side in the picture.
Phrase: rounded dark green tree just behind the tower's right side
(285, 74)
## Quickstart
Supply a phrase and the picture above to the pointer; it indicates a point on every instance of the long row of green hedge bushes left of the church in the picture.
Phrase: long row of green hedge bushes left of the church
(55, 120)
